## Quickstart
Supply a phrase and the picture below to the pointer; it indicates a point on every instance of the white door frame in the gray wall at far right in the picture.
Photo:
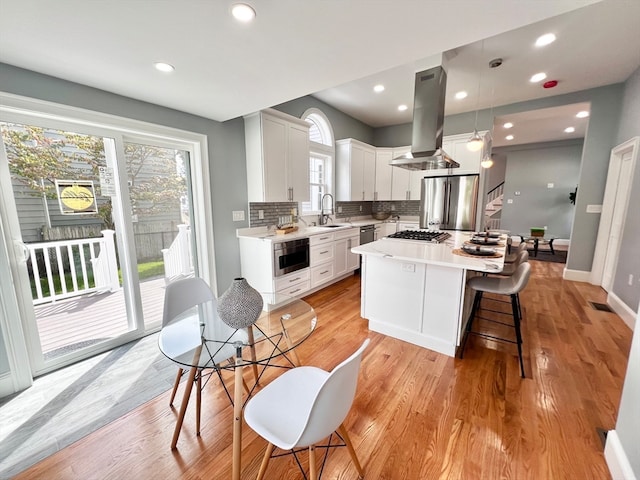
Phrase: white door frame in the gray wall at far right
(613, 191)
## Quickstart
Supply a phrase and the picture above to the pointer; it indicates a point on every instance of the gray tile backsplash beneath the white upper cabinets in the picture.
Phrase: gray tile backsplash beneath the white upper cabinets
(273, 211)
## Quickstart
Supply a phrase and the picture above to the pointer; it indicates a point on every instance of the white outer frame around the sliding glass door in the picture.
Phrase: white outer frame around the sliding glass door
(196, 144)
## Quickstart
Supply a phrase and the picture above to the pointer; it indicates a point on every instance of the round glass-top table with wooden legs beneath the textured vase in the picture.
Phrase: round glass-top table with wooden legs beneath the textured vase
(198, 339)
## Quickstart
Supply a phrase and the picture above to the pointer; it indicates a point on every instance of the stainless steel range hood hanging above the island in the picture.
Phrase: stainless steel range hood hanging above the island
(428, 118)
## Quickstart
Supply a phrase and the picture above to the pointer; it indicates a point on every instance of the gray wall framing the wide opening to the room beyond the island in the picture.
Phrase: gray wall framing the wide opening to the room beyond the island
(606, 103)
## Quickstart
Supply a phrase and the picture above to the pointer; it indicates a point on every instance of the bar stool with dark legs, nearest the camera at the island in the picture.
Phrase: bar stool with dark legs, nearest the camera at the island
(503, 285)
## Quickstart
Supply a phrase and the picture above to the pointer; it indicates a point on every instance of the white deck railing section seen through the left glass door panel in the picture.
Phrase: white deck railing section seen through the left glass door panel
(77, 261)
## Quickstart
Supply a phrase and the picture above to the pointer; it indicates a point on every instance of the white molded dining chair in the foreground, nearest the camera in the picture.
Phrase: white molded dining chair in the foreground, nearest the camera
(305, 406)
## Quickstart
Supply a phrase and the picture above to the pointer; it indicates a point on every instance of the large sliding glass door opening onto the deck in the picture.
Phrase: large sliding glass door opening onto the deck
(99, 221)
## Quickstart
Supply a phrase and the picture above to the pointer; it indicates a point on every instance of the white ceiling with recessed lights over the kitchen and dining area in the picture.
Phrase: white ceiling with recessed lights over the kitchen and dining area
(334, 49)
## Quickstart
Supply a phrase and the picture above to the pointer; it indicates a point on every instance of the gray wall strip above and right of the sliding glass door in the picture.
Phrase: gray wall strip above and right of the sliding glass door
(225, 142)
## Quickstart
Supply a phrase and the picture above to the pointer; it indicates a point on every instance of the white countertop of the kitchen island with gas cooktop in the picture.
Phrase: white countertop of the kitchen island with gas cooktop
(432, 253)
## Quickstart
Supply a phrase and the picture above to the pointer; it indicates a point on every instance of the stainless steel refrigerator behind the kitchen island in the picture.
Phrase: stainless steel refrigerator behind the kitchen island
(449, 202)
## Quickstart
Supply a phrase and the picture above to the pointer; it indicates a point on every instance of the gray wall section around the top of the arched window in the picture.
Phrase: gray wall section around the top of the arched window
(343, 125)
